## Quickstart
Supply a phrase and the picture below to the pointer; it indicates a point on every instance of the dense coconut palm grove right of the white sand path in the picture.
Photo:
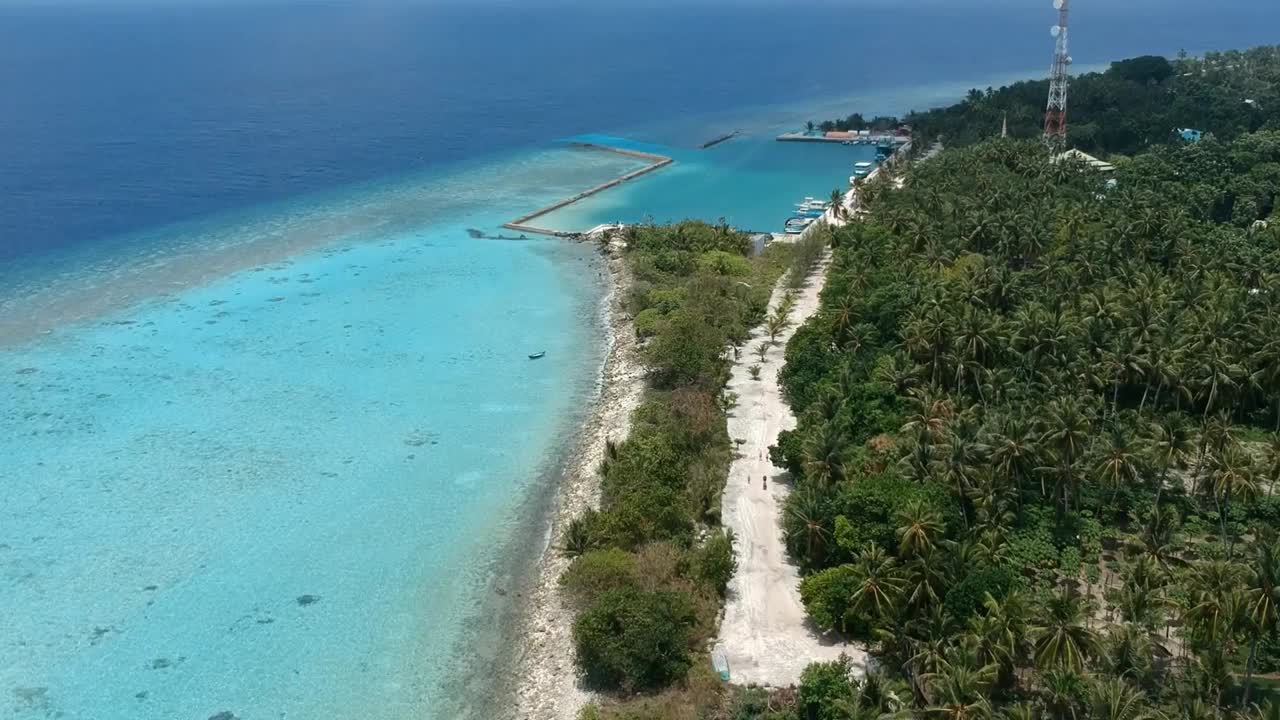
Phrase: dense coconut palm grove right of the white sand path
(1037, 440)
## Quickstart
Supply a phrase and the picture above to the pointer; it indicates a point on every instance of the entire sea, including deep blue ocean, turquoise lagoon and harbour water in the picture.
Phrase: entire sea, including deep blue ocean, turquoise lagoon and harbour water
(269, 438)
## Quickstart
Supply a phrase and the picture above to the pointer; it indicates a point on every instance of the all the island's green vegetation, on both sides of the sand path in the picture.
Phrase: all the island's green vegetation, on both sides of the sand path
(1039, 426)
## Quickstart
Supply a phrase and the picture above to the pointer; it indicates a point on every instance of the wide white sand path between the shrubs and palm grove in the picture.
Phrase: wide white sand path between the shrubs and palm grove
(765, 634)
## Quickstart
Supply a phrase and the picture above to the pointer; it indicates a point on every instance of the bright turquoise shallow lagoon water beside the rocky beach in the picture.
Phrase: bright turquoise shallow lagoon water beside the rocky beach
(287, 493)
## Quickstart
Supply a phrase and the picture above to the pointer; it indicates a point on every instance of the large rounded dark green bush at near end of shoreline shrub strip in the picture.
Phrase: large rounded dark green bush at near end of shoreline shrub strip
(634, 640)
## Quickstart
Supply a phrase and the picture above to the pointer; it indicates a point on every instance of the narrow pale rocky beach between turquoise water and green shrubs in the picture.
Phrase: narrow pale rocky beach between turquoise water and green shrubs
(546, 682)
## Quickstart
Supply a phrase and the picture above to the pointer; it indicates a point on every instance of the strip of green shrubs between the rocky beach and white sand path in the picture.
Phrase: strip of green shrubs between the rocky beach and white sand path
(652, 566)
